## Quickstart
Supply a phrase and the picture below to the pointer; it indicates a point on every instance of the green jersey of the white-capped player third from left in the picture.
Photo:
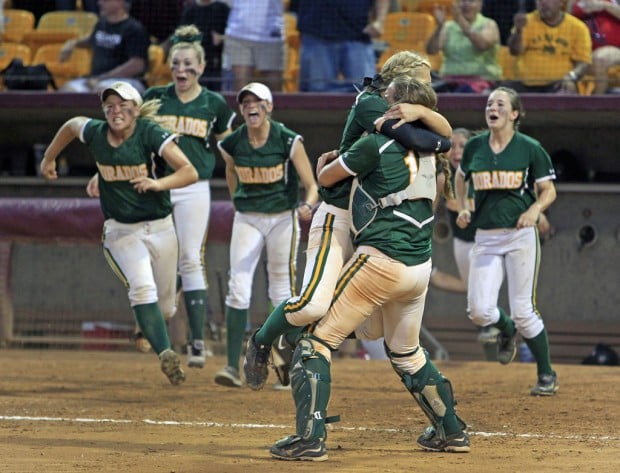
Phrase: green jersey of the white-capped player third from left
(267, 179)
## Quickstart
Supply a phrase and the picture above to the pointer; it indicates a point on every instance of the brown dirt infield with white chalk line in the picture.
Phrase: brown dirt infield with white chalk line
(77, 411)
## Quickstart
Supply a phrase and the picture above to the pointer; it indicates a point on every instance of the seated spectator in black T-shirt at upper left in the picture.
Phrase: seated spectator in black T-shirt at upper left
(120, 50)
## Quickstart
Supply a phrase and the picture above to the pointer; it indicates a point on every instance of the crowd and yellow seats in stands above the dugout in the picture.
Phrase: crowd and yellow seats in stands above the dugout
(468, 41)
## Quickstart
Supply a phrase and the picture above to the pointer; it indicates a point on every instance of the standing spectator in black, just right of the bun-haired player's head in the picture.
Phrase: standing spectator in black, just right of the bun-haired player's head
(211, 17)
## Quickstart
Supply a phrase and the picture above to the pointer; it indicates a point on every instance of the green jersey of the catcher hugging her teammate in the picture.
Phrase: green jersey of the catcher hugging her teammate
(383, 167)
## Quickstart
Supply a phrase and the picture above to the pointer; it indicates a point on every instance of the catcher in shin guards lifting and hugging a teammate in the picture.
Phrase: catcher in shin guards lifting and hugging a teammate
(389, 271)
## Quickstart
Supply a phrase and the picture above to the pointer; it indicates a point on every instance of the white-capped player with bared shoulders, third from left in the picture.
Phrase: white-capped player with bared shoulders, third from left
(264, 163)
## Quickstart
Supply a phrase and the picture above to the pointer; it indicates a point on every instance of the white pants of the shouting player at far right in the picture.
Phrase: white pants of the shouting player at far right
(518, 252)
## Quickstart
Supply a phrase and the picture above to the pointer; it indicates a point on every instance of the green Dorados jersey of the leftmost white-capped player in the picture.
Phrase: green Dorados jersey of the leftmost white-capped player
(138, 156)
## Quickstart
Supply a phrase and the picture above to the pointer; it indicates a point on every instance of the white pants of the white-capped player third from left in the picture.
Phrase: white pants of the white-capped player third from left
(279, 235)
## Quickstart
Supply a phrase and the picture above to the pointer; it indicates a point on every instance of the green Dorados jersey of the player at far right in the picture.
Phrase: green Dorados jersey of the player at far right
(504, 183)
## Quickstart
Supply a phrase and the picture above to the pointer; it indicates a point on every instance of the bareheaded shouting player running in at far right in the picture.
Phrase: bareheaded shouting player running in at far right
(512, 176)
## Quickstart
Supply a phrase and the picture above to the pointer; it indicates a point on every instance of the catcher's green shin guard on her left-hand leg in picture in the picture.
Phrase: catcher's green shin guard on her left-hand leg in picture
(310, 382)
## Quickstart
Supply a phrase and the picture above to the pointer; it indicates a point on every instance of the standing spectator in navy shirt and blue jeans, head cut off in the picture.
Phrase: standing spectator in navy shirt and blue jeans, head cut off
(336, 42)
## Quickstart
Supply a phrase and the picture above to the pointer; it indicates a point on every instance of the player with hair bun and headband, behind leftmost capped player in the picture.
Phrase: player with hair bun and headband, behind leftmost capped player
(195, 113)
